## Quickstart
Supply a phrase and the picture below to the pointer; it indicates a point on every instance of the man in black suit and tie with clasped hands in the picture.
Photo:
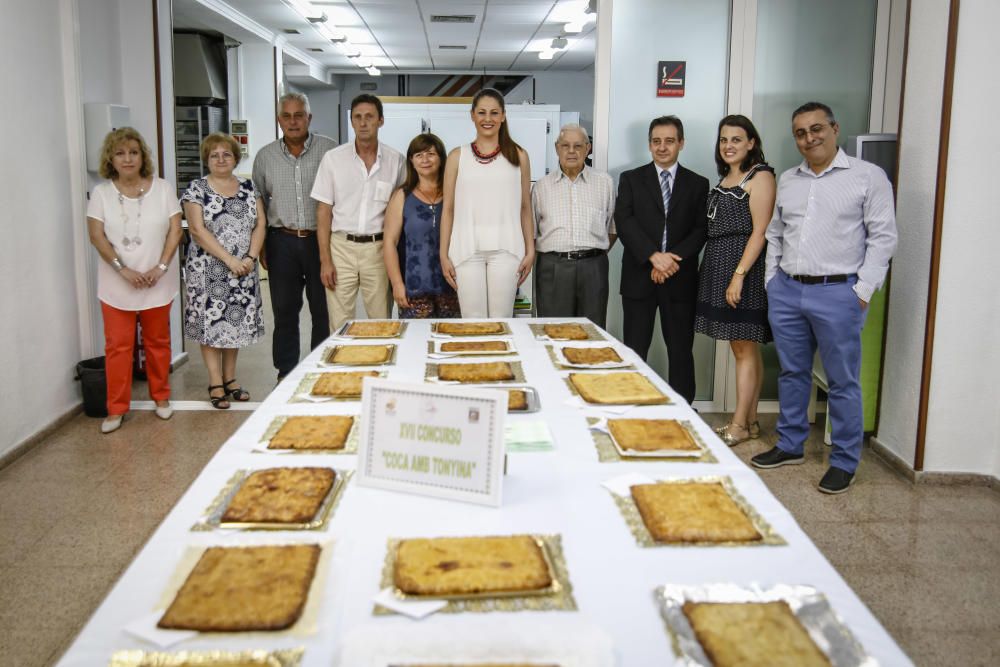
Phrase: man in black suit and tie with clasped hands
(660, 215)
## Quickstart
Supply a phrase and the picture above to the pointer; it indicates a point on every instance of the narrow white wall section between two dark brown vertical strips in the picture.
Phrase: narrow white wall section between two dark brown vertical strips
(914, 218)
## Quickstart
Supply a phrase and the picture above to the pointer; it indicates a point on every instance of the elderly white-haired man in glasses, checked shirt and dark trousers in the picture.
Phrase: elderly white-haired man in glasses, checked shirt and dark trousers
(574, 221)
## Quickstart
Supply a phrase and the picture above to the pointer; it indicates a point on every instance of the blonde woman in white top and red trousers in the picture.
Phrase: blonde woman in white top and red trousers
(134, 221)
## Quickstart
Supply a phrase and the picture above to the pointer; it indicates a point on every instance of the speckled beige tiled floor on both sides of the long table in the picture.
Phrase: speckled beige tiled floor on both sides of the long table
(926, 559)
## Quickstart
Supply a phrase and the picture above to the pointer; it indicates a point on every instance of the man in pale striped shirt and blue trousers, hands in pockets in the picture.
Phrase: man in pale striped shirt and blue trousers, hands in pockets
(829, 243)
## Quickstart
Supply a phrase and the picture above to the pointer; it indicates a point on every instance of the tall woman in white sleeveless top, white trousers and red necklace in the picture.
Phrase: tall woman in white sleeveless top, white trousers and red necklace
(487, 231)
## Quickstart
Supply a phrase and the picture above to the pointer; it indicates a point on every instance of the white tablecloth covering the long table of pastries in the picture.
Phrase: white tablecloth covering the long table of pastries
(555, 492)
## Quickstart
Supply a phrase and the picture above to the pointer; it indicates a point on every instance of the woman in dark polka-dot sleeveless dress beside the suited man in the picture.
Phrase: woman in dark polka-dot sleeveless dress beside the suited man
(732, 303)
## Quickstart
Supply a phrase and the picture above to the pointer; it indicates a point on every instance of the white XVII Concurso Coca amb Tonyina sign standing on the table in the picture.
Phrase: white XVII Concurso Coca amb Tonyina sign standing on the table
(432, 440)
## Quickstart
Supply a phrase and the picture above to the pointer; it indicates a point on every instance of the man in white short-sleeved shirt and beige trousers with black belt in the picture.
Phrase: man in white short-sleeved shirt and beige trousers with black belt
(352, 189)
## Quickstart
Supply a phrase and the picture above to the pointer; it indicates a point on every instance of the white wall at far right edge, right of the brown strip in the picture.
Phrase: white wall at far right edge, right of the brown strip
(963, 426)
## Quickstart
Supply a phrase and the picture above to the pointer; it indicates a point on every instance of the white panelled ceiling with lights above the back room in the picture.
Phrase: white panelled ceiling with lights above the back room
(398, 35)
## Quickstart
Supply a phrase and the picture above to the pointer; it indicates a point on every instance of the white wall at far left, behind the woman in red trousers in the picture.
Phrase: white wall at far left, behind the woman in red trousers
(38, 342)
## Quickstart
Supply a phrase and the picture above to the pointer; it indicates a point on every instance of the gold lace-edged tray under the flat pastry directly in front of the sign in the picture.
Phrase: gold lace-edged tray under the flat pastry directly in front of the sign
(557, 596)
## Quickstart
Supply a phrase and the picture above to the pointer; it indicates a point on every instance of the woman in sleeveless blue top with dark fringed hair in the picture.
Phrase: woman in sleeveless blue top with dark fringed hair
(413, 235)
